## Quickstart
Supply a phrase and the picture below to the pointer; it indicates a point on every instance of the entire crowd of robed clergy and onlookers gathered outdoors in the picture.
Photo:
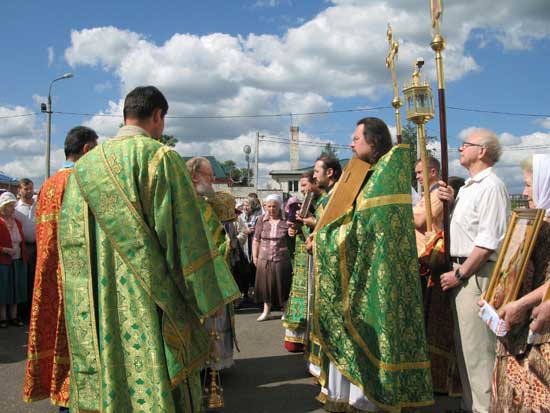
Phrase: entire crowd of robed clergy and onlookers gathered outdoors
(139, 266)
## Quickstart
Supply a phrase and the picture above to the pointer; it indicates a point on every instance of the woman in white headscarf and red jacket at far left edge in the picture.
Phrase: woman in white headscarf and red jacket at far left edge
(13, 270)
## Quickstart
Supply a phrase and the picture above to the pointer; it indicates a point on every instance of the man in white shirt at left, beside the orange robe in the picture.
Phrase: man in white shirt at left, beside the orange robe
(25, 211)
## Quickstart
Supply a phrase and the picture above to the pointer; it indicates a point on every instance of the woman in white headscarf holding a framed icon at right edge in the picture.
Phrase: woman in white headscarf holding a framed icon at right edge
(521, 378)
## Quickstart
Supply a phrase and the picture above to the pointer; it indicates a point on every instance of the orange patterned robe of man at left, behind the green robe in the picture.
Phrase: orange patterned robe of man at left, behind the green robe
(48, 364)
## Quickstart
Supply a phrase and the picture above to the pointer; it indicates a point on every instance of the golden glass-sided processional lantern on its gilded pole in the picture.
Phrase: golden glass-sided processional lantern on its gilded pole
(419, 106)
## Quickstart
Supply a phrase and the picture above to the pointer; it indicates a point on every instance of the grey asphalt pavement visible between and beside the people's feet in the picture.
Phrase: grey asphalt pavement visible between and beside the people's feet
(264, 379)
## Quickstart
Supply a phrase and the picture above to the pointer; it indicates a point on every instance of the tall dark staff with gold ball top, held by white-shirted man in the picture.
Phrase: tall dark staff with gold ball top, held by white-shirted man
(438, 44)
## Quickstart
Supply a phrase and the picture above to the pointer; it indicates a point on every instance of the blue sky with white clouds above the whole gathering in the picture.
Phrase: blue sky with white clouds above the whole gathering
(220, 58)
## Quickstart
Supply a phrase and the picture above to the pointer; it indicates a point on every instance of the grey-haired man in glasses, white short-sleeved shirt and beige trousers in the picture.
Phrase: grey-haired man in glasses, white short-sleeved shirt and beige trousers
(478, 226)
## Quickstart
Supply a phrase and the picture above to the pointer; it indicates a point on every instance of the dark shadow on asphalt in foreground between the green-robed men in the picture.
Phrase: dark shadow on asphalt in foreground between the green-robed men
(269, 385)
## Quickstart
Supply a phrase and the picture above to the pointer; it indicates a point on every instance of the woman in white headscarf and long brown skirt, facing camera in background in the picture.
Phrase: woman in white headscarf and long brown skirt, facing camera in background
(272, 257)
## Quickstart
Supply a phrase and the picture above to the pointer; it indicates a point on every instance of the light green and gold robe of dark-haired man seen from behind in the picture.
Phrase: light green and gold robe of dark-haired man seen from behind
(140, 271)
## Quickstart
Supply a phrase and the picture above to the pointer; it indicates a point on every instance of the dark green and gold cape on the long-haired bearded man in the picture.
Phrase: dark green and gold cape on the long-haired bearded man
(368, 301)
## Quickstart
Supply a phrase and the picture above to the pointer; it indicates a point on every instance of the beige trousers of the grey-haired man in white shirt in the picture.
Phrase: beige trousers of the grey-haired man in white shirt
(475, 343)
